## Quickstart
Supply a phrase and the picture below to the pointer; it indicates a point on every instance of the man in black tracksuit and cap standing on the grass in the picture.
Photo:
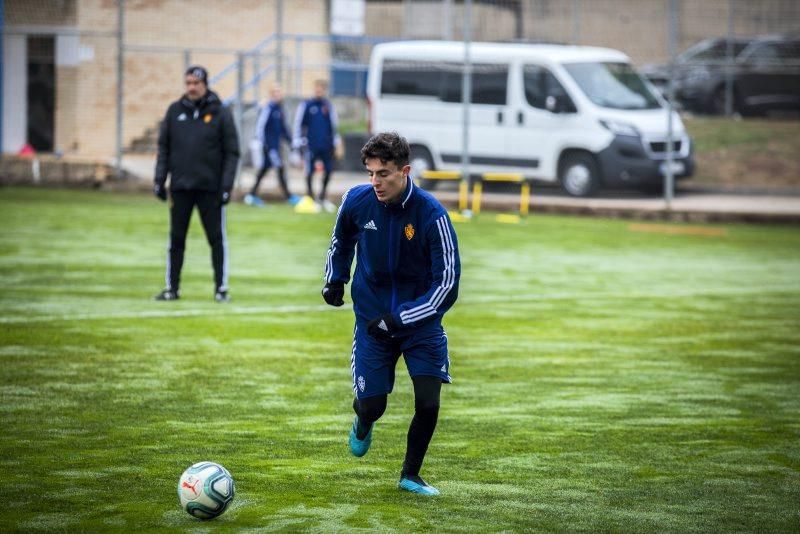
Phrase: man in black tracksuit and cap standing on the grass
(198, 148)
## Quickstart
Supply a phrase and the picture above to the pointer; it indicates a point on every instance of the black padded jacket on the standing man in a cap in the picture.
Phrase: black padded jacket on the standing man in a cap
(198, 146)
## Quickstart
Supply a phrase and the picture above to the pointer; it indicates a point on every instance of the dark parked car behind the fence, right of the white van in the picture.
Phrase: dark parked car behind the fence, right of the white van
(765, 73)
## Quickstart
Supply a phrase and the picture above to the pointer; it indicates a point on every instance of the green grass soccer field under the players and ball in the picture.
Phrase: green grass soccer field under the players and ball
(607, 377)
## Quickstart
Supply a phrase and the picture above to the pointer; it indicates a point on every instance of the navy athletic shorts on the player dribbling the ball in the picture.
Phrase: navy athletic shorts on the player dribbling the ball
(373, 362)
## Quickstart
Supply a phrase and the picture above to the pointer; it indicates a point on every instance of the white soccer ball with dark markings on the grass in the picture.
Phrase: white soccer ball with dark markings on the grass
(205, 490)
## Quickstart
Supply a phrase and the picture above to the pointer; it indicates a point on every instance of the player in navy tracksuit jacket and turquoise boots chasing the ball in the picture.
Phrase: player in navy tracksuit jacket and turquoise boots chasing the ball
(406, 278)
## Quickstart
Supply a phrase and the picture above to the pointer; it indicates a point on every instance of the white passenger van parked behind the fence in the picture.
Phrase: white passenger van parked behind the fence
(575, 114)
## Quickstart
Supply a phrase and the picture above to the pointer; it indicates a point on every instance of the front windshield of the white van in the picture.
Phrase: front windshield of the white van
(613, 85)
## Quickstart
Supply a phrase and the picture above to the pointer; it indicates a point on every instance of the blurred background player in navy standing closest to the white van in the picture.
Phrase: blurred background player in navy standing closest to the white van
(315, 127)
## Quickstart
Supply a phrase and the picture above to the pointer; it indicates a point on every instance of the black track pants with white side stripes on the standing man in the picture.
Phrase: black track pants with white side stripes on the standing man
(212, 215)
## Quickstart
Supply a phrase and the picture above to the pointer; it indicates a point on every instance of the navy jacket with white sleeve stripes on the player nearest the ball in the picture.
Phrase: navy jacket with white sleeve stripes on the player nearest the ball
(408, 261)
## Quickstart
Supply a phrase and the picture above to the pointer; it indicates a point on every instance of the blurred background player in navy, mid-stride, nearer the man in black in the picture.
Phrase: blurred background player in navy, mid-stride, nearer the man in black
(270, 129)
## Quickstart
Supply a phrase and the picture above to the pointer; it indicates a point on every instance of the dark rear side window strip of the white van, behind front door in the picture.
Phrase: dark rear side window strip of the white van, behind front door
(443, 81)
